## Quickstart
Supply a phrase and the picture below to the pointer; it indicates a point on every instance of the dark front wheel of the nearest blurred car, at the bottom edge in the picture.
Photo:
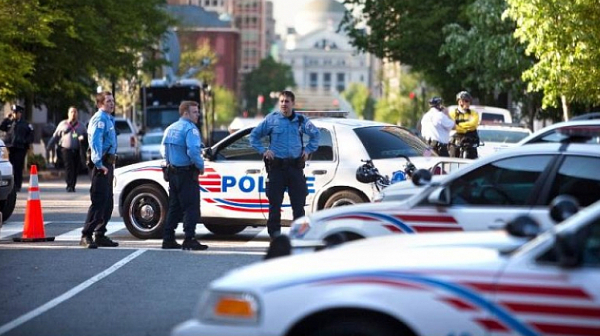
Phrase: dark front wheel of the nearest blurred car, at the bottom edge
(356, 326)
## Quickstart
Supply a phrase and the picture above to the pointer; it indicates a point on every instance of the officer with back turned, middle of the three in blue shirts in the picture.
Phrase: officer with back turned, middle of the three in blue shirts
(181, 145)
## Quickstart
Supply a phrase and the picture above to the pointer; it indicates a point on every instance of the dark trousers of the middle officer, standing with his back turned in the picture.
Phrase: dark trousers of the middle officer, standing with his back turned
(184, 201)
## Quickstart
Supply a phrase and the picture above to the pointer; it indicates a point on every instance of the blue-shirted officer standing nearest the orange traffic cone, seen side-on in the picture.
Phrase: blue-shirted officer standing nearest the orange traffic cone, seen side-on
(102, 138)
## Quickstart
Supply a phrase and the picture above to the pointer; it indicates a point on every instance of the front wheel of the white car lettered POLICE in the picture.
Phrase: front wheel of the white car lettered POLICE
(145, 211)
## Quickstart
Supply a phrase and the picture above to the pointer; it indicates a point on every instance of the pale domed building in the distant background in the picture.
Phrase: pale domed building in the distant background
(322, 60)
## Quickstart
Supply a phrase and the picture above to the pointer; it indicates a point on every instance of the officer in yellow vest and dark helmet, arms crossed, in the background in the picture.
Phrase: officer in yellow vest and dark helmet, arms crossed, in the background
(467, 121)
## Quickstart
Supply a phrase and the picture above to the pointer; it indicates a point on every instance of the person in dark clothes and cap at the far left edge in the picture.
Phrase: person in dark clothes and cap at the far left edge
(18, 139)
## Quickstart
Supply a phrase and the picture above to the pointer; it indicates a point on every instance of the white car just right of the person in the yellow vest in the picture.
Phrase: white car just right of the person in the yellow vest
(495, 137)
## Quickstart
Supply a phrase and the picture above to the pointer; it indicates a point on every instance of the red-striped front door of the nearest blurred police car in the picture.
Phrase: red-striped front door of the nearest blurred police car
(542, 297)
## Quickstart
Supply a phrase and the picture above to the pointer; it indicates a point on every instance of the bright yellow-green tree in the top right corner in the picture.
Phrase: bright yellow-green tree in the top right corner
(563, 36)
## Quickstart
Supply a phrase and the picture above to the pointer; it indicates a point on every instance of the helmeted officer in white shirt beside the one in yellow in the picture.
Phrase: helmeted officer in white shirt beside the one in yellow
(436, 125)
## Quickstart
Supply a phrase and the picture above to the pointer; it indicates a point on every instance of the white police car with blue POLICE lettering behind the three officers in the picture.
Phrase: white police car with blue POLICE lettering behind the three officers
(232, 186)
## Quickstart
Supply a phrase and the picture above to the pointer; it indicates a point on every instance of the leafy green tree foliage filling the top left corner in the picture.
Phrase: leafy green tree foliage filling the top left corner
(61, 47)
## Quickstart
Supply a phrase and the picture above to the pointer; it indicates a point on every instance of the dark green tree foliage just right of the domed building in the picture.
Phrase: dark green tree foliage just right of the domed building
(408, 31)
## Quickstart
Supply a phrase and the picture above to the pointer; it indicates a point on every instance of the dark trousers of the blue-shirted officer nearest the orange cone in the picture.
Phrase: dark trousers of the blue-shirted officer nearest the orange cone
(101, 195)
